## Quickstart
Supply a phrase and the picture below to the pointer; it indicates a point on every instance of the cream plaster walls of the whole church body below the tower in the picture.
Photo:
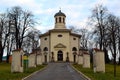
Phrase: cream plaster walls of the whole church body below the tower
(53, 40)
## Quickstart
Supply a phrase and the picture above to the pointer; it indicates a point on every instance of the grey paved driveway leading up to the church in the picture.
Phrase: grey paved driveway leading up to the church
(57, 71)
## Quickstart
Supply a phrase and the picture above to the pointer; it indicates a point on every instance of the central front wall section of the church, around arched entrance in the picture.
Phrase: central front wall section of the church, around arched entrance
(65, 40)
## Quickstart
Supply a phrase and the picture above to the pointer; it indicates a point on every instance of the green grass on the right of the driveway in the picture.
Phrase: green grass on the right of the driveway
(108, 75)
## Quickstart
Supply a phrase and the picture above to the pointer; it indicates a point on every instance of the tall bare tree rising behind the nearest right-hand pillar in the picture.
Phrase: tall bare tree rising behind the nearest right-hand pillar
(99, 17)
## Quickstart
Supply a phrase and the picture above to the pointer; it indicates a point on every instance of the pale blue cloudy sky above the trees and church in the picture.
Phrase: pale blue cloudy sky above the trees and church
(77, 11)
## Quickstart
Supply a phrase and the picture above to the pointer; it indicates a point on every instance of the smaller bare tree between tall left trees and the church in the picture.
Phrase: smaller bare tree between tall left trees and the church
(31, 42)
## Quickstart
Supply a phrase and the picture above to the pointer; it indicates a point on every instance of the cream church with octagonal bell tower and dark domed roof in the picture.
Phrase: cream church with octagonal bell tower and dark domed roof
(59, 44)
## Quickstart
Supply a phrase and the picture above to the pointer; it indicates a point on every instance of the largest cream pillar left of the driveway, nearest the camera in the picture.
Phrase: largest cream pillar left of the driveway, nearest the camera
(17, 61)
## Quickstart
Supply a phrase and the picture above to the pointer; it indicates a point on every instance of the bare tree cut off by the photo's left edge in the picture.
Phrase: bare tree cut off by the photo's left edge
(4, 33)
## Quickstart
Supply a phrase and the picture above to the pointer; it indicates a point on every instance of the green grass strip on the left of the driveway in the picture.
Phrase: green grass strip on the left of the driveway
(5, 72)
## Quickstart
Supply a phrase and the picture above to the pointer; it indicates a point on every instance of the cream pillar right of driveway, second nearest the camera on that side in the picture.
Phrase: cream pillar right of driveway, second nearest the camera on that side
(86, 60)
